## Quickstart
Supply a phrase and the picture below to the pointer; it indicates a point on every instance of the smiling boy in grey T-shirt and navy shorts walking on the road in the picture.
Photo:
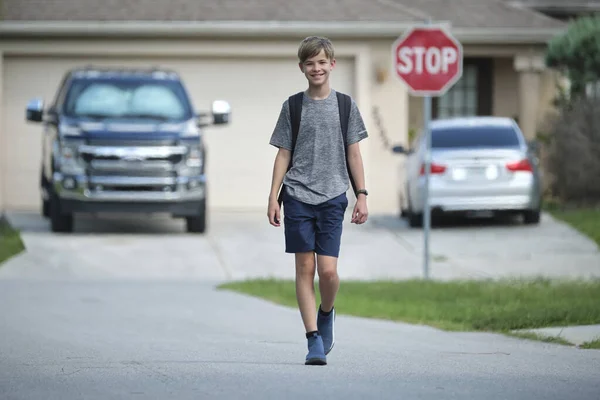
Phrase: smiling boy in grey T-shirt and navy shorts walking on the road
(314, 191)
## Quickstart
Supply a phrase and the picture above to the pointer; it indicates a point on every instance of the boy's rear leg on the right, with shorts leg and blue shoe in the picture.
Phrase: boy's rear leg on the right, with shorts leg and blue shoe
(330, 219)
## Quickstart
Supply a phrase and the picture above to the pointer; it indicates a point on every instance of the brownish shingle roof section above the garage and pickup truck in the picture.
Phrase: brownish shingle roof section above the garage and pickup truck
(203, 10)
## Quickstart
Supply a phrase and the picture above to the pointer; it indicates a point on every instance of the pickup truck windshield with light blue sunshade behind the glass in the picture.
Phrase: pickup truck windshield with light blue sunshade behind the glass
(113, 98)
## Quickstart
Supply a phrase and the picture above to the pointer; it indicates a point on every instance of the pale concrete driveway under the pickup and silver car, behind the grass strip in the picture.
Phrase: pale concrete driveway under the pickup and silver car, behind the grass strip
(244, 245)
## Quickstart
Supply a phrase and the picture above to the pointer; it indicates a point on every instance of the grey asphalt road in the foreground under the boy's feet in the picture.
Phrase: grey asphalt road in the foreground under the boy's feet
(178, 340)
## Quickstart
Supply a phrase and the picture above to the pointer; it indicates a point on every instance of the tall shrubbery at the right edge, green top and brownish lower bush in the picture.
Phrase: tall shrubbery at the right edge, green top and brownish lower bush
(573, 147)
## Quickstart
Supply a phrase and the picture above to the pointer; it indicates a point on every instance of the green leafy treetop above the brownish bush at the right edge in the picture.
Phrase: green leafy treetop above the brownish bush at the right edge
(577, 52)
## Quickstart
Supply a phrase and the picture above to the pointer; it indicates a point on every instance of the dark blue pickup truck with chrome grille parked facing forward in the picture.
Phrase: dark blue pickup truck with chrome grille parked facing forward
(123, 141)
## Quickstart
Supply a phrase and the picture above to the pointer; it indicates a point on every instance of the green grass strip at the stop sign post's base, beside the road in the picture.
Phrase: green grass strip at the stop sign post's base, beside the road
(499, 306)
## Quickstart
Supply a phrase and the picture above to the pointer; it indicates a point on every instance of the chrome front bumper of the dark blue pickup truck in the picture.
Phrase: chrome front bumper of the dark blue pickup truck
(181, 196)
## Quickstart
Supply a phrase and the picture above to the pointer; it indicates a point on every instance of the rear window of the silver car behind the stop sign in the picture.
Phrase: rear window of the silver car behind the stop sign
(474, 137)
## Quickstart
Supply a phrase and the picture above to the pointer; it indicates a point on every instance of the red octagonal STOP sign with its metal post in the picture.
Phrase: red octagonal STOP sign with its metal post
(429, 60)
